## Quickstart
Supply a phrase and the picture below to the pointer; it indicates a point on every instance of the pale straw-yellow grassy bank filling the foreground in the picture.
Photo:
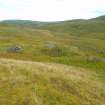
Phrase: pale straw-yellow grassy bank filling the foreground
(34, 83)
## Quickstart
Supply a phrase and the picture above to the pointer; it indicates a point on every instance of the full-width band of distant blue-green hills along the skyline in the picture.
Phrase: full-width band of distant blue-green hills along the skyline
(73, 27)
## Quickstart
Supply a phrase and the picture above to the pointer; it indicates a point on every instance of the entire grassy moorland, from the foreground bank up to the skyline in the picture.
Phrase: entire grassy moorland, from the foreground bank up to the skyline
(57, 46)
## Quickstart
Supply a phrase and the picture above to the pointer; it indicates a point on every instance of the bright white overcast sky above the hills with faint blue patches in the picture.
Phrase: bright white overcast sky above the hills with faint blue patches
(51, 10)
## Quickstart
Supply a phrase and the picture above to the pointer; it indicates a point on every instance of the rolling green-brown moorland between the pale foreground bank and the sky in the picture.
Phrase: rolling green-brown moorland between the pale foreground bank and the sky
(76, 42)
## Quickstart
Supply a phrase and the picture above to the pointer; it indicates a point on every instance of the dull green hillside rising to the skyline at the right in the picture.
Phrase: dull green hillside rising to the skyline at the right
(92, 27)
